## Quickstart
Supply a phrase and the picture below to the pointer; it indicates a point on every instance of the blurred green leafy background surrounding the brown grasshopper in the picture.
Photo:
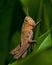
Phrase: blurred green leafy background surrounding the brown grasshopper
(12, 14)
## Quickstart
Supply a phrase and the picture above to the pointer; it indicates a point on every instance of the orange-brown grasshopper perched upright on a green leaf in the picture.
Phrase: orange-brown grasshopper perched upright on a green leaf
(26, 38)
